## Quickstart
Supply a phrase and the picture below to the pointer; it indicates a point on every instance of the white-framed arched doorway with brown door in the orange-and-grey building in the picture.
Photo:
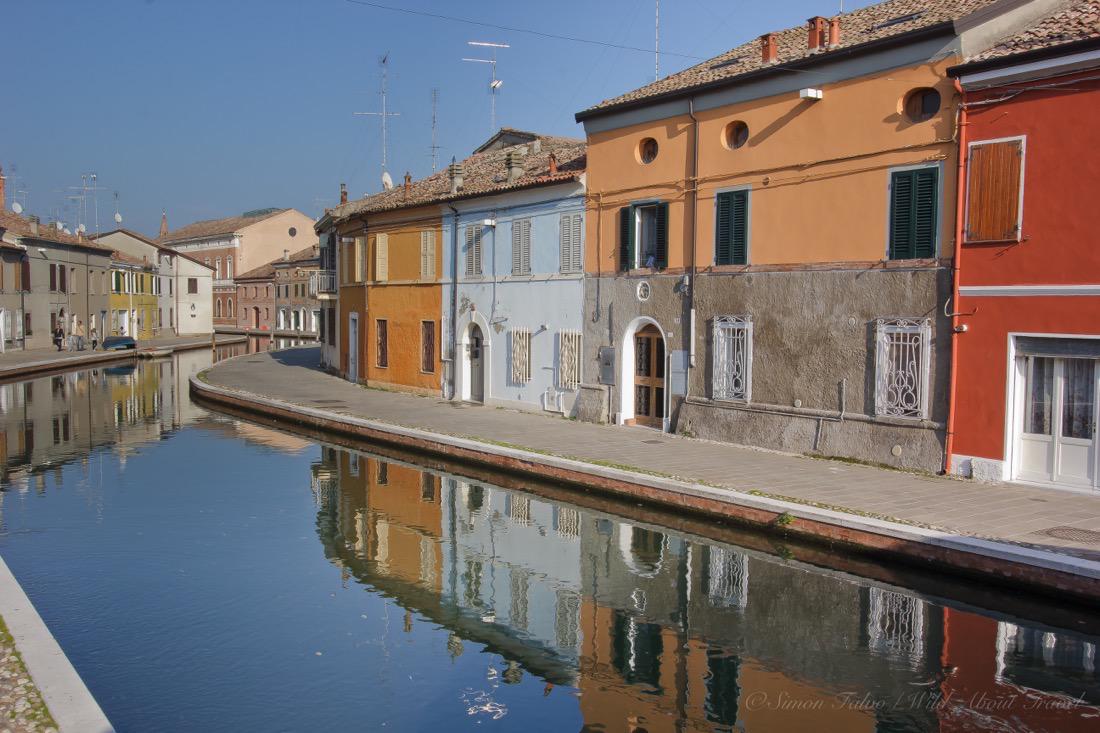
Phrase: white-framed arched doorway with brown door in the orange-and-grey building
(644, 391)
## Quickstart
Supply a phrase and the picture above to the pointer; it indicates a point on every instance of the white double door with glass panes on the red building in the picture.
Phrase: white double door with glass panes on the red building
(1058, 441)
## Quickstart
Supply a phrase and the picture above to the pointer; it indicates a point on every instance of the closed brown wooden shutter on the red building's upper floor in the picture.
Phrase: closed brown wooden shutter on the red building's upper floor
(993, 198)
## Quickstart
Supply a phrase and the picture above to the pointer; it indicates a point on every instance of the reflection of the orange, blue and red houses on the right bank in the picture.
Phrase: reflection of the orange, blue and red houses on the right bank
(663, 632)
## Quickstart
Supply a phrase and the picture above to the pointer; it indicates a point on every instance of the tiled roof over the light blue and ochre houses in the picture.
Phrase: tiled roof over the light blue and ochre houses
(485, 173)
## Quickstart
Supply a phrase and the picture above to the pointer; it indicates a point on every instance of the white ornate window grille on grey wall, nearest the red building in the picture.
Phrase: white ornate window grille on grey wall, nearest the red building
(903, 357)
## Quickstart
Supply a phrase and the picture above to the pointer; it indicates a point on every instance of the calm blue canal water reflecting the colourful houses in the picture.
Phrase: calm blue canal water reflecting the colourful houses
(206, 573)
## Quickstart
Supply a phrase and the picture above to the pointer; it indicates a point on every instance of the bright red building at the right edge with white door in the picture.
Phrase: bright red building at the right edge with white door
(1028, 364)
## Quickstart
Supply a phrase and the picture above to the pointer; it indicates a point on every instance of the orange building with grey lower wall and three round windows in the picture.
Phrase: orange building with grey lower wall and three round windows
(771, 236)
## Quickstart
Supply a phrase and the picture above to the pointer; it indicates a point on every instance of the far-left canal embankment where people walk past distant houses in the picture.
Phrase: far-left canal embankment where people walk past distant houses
(20, 365)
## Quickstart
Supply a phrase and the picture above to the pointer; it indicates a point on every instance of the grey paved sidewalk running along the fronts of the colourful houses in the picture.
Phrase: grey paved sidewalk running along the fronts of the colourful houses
(1047, 519)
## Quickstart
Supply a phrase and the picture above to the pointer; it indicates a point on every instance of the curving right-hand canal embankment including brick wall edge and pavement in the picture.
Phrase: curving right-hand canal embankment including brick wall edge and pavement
(1017, 537)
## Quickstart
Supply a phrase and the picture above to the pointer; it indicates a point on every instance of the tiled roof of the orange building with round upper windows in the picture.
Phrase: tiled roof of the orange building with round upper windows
(894, 19)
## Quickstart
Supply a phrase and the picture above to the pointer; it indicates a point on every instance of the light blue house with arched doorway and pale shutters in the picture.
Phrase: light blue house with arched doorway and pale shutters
(515, 313)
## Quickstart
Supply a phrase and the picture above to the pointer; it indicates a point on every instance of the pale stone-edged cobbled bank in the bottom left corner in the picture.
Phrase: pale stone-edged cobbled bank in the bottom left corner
(40, 691)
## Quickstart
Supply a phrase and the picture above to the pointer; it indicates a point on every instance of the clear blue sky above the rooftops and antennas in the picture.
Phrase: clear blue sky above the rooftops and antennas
(210, 108)
